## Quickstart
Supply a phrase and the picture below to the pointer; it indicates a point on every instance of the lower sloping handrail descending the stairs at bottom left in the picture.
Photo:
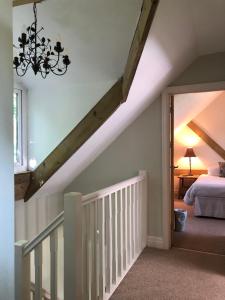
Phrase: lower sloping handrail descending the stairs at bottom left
(44, 234)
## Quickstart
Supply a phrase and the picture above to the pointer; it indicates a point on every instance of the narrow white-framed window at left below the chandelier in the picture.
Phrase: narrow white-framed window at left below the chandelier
(19, 132)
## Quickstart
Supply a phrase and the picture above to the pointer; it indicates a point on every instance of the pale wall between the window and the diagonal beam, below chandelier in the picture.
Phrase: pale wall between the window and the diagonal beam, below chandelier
(55, 110)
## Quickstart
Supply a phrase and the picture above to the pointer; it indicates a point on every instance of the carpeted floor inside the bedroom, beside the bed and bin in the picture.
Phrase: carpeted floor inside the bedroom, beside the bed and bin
(203, 234)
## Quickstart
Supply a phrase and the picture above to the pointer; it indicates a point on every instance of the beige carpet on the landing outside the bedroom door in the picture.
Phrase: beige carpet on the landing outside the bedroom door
(174, 275)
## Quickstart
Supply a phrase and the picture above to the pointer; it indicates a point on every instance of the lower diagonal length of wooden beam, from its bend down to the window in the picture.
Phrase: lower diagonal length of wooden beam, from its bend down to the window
(77, 137)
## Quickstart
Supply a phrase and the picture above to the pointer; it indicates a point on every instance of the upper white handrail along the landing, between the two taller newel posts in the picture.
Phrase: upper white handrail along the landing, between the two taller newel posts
(112, 189)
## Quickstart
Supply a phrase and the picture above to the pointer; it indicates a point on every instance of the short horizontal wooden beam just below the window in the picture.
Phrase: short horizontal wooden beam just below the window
(22, 181)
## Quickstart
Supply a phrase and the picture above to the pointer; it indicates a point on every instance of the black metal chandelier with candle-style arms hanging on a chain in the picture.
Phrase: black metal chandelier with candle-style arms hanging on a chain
(37, 53)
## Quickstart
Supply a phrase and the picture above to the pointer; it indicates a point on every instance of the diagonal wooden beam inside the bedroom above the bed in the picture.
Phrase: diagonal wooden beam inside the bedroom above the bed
(207, 139)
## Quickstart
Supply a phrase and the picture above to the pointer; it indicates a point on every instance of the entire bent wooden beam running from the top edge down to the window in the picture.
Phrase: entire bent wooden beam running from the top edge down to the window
(102, 110)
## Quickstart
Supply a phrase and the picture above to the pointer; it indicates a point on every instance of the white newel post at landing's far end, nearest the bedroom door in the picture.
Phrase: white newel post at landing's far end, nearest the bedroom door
(145, 196)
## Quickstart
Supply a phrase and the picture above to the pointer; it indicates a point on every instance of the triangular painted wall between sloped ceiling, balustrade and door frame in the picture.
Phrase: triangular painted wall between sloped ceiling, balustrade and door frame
(138, 147)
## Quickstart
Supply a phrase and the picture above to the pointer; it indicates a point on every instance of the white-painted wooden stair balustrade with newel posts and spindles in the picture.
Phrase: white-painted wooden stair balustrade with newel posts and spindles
(104, 233)
